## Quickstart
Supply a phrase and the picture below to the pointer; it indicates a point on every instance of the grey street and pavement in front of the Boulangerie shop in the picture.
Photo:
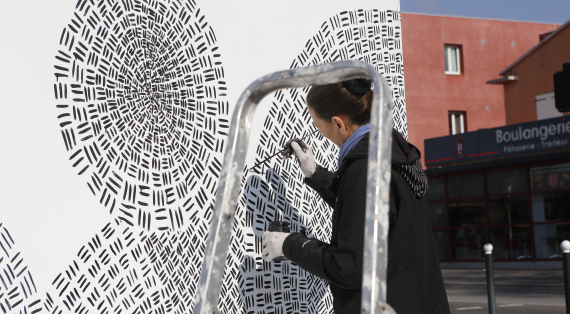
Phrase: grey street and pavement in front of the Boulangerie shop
(516, 291)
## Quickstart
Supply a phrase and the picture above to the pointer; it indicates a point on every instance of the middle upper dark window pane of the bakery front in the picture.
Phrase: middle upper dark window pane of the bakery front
(506, 182)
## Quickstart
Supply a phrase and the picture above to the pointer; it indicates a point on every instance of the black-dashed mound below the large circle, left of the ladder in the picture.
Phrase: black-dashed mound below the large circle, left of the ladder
(128, 269)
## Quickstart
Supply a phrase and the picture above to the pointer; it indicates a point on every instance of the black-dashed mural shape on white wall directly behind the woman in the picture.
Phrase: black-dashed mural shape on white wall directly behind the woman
(275, 190)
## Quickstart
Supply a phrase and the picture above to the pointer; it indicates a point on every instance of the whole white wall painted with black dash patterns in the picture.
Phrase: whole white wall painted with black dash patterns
(113, 131)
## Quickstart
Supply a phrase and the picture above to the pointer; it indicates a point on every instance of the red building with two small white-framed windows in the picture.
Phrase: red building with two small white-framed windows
(448, 61)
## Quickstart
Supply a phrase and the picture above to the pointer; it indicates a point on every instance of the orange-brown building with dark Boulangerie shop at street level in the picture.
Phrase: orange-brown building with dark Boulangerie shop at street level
(507, 184)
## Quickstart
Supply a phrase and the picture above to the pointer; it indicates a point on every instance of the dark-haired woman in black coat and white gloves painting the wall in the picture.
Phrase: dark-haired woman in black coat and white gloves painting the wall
(341, 112)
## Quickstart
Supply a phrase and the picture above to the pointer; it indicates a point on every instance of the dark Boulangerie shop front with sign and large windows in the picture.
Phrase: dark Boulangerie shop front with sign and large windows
(509, 186)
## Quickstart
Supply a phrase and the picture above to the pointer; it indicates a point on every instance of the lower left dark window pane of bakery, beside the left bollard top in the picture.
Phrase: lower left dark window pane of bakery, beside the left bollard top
(467, 244)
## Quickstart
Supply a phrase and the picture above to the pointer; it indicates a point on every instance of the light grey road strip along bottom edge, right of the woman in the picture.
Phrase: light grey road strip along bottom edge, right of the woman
(475, 302)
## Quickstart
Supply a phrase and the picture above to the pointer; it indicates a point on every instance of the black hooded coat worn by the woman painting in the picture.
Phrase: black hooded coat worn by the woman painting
(415, 284)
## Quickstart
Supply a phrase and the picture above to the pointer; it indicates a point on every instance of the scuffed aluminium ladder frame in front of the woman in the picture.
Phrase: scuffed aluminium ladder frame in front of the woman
(377, 191)
